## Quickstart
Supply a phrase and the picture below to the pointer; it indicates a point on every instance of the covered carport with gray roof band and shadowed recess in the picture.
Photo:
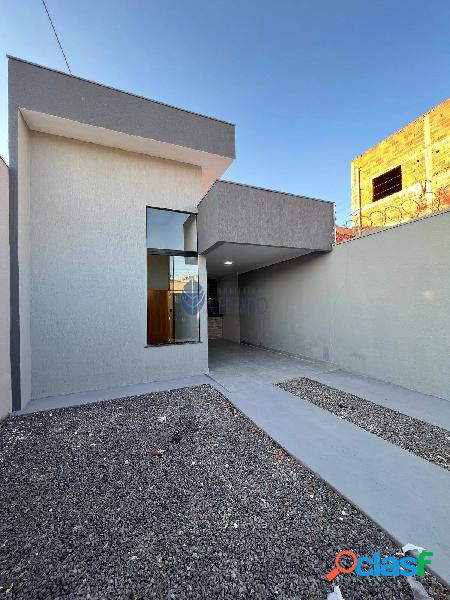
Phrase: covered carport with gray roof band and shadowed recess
(242, 228)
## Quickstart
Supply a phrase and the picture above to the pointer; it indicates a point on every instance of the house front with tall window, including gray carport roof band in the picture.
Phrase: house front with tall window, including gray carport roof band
(114, 213)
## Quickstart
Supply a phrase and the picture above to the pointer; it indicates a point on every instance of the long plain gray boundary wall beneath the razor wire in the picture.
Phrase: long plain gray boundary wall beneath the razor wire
(377, 306)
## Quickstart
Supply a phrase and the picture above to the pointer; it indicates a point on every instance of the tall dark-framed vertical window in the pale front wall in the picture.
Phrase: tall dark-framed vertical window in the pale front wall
(172, 278)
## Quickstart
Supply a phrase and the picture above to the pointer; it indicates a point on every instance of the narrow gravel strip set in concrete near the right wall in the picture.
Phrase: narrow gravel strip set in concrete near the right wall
(427, 441)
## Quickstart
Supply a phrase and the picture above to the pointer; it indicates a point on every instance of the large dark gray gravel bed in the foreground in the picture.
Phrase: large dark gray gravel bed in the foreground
(171, 495)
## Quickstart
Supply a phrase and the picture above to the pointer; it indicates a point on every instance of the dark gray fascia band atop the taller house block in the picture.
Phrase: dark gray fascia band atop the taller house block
(52, 92)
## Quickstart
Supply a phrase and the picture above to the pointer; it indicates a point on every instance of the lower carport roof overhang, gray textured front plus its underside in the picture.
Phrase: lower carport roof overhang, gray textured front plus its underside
(254, 227)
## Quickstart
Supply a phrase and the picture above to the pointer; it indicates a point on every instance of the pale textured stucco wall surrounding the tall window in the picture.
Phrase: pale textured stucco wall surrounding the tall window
(89, 266)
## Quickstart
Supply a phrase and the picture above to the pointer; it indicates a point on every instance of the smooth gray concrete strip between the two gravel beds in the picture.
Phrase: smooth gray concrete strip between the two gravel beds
(405, 495)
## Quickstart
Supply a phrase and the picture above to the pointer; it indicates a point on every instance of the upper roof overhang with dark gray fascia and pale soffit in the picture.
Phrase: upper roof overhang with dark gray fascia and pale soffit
(61, 104)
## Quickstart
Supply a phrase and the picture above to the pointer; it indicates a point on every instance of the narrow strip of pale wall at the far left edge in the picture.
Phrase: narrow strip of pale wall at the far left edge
(5, 364)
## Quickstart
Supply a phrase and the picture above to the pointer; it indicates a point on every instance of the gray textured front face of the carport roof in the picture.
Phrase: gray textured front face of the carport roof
(243, 214)
